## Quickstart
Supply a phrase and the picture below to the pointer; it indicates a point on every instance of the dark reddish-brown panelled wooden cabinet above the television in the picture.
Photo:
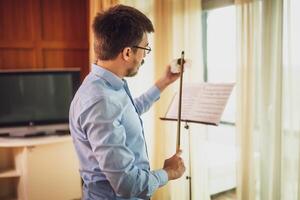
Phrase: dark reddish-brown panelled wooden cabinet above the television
(44, 34)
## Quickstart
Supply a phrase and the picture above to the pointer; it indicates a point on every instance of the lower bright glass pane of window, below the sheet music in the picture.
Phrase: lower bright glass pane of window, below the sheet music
(222, 158)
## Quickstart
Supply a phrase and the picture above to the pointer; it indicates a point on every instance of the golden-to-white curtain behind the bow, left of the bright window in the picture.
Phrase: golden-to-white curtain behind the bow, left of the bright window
(178, 28)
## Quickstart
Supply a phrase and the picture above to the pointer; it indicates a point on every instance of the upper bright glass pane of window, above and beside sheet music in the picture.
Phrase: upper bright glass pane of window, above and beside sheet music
(221, 52)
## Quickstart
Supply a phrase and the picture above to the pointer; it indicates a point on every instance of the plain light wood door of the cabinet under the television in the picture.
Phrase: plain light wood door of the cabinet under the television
(53, 172)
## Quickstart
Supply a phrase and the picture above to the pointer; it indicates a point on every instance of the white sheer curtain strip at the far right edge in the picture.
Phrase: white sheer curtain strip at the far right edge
(290, 183)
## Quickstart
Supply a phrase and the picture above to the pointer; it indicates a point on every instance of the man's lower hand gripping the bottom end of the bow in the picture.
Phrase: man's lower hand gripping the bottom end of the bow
(174, 166)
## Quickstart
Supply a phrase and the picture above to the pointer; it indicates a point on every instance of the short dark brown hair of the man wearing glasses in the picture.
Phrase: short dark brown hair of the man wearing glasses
(118, 27)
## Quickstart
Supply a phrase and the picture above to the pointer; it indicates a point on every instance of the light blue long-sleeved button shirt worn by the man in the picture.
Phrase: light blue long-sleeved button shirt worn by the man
(108, 135)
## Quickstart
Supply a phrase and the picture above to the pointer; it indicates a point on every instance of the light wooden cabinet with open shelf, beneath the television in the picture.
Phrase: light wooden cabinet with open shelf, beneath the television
(39, 168)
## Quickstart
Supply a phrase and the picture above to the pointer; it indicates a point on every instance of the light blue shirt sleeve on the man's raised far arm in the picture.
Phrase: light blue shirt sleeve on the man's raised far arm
(145, 101)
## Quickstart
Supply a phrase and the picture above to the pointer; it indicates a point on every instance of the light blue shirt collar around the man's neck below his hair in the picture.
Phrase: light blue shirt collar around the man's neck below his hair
(116, 82)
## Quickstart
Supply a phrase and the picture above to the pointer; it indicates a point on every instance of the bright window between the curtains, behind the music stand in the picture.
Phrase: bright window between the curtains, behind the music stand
(219, 47)
